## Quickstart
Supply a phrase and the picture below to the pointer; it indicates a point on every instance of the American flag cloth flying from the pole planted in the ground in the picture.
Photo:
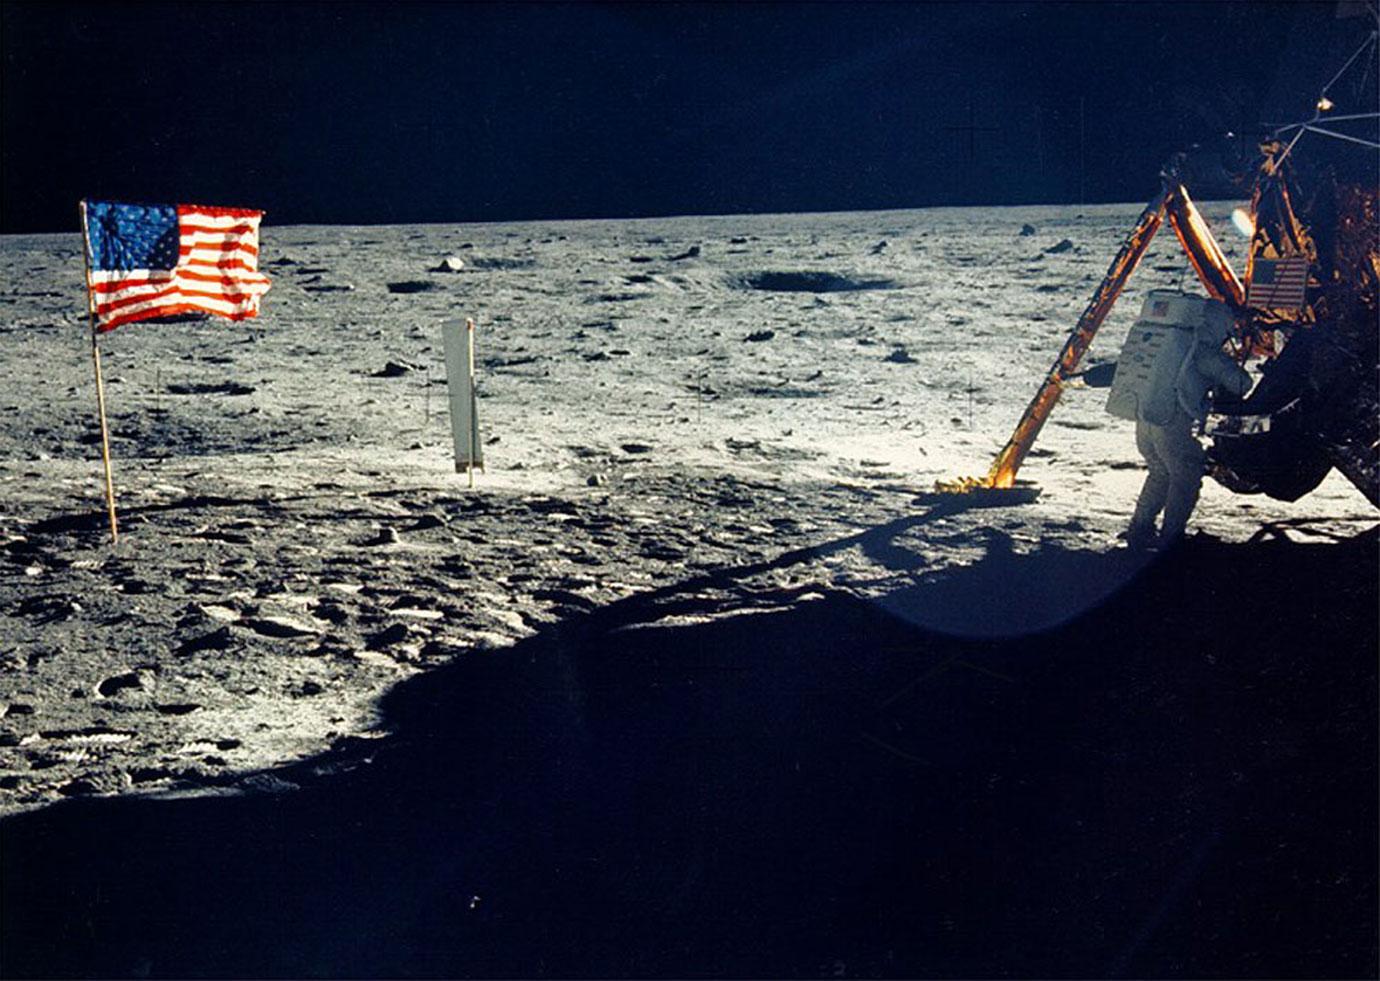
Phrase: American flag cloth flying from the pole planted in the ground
(159, 260)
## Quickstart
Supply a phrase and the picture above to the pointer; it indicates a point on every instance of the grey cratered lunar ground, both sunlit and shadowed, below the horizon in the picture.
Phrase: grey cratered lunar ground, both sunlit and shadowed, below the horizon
(702, 525)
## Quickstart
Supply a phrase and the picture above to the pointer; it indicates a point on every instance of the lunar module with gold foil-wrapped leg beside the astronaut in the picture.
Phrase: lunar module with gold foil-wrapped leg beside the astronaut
(1306, 311)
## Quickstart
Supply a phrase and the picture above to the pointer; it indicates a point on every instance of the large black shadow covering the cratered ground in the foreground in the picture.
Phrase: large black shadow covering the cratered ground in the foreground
(1179, 783)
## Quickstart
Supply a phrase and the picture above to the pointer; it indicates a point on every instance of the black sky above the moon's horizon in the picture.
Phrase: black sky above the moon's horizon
(413, 112)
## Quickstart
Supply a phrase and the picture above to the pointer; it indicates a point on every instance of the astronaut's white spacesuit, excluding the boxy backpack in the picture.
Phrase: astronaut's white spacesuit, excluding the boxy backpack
(1165, 428)
